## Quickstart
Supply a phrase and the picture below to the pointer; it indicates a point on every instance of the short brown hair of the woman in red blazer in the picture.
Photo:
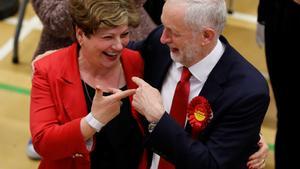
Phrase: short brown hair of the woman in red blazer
(90, 15)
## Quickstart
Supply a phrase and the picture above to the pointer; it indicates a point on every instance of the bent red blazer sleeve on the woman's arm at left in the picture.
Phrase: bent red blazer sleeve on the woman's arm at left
(52, 139)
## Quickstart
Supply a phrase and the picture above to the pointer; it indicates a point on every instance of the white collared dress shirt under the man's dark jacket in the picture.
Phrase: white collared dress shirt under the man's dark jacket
(199, 71)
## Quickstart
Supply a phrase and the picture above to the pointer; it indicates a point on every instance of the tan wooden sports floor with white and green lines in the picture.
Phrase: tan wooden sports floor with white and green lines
(15, 80)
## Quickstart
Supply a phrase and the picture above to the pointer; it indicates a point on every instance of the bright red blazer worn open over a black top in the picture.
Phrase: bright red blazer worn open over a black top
(58, 104)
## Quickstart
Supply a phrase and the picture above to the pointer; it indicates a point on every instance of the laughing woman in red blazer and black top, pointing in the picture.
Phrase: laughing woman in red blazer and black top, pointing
(80, 112)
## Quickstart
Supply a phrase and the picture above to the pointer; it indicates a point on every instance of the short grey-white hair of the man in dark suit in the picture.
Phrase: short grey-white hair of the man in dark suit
(206, 13)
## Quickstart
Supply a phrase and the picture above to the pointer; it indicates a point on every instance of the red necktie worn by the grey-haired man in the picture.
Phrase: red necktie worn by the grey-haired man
(179, 107)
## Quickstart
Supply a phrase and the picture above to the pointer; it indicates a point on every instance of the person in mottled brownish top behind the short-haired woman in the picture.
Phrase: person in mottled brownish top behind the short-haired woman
(58, 29)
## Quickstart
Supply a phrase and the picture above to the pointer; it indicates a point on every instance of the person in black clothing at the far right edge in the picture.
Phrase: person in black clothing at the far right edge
(278, 30)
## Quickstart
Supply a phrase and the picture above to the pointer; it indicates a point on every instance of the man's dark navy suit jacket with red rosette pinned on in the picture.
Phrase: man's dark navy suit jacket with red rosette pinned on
(239, 97)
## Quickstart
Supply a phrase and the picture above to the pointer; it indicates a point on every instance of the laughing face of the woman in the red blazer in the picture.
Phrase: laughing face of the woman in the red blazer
(104, 47)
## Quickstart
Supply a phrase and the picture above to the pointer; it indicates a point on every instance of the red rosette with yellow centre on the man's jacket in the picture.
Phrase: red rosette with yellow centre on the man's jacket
(199, 113)
